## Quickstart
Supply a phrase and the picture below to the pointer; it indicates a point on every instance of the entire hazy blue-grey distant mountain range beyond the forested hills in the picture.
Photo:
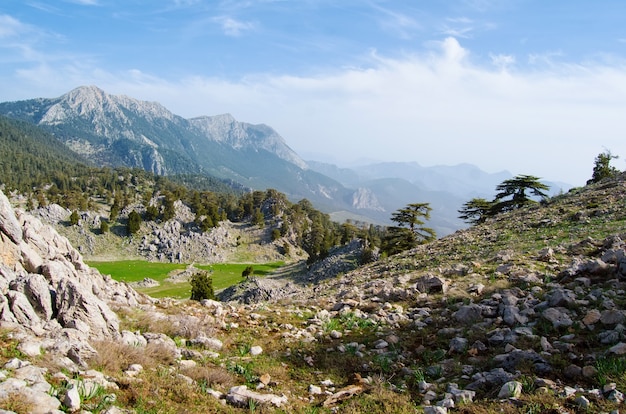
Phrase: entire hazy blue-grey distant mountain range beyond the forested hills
(116, 130)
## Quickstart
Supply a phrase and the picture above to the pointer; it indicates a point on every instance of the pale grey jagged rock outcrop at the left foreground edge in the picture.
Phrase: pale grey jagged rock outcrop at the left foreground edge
(46, 288)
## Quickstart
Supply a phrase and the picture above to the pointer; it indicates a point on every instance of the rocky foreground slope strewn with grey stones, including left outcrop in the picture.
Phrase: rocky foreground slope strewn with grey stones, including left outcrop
(525, 313)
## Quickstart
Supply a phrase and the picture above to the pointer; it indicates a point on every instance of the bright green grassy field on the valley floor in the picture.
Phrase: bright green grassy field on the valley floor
(224, 275)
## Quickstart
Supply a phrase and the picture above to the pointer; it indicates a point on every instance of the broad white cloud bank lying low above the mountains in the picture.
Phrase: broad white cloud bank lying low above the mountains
(433, 108)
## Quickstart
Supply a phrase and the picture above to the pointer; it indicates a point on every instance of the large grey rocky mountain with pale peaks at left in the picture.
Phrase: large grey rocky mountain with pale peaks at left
(114, 130)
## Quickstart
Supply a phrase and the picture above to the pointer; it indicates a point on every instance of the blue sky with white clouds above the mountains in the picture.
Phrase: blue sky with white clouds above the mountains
(529, 86)
